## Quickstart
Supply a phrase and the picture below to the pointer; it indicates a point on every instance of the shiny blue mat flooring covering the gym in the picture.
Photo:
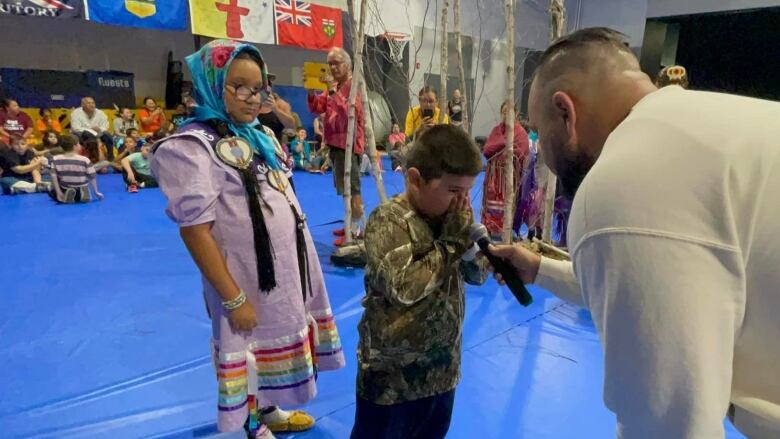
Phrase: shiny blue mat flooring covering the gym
(104, 331)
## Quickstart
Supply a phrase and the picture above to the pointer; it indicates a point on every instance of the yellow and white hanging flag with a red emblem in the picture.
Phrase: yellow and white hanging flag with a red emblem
(245, 20)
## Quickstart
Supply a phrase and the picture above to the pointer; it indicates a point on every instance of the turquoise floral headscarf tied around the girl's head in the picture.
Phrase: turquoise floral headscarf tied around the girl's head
(209, 67)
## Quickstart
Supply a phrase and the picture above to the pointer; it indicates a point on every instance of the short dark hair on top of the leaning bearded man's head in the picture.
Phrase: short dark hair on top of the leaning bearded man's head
(573, 51)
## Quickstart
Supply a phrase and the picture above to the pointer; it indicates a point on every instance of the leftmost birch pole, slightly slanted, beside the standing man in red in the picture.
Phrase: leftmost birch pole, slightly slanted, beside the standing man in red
(357, 69)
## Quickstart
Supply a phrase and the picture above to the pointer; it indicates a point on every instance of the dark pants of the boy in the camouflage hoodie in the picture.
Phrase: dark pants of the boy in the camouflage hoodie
(427, 418)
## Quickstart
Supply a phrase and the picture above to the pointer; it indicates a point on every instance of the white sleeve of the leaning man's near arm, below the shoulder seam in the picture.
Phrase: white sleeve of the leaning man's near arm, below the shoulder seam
(668, 311)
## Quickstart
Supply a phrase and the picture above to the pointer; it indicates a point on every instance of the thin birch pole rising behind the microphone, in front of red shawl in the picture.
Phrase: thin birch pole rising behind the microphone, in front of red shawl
(509, 152)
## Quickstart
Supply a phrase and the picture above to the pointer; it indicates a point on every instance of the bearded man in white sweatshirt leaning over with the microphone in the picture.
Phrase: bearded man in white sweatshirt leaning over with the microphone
(675, 238)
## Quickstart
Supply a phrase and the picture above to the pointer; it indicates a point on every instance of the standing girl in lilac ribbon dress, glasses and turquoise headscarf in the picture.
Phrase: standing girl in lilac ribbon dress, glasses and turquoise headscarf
(273, 328)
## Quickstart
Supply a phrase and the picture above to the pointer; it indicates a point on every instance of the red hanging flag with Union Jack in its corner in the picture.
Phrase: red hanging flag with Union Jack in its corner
(307, 25)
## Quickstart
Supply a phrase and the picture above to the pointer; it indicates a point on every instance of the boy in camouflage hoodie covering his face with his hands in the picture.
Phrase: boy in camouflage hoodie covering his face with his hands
(410, 334)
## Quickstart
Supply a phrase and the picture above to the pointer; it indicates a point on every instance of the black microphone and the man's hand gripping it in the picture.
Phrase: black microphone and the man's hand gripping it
(504, 263)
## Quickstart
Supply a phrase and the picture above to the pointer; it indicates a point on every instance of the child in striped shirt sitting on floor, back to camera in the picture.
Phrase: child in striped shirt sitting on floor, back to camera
(72, 174)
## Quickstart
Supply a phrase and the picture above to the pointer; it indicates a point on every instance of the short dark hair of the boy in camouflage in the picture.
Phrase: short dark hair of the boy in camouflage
(444, 149)
